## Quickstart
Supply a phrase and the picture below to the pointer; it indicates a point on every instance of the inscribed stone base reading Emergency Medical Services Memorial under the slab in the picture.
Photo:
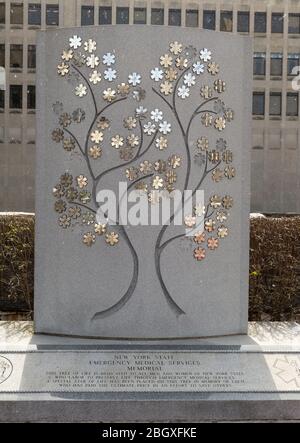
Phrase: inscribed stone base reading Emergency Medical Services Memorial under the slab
(238, 378)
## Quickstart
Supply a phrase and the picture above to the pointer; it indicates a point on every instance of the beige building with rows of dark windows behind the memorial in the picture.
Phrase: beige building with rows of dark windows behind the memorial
(275, 26)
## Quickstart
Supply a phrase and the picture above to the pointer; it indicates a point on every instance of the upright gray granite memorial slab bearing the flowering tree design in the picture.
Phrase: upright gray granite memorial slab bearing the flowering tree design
(159, 109)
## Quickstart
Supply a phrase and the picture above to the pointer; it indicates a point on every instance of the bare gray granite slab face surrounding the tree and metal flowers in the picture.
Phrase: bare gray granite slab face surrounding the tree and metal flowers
(74, 282)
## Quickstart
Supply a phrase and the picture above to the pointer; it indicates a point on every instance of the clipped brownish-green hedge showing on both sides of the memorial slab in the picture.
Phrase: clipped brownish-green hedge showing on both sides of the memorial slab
(274, 266)
